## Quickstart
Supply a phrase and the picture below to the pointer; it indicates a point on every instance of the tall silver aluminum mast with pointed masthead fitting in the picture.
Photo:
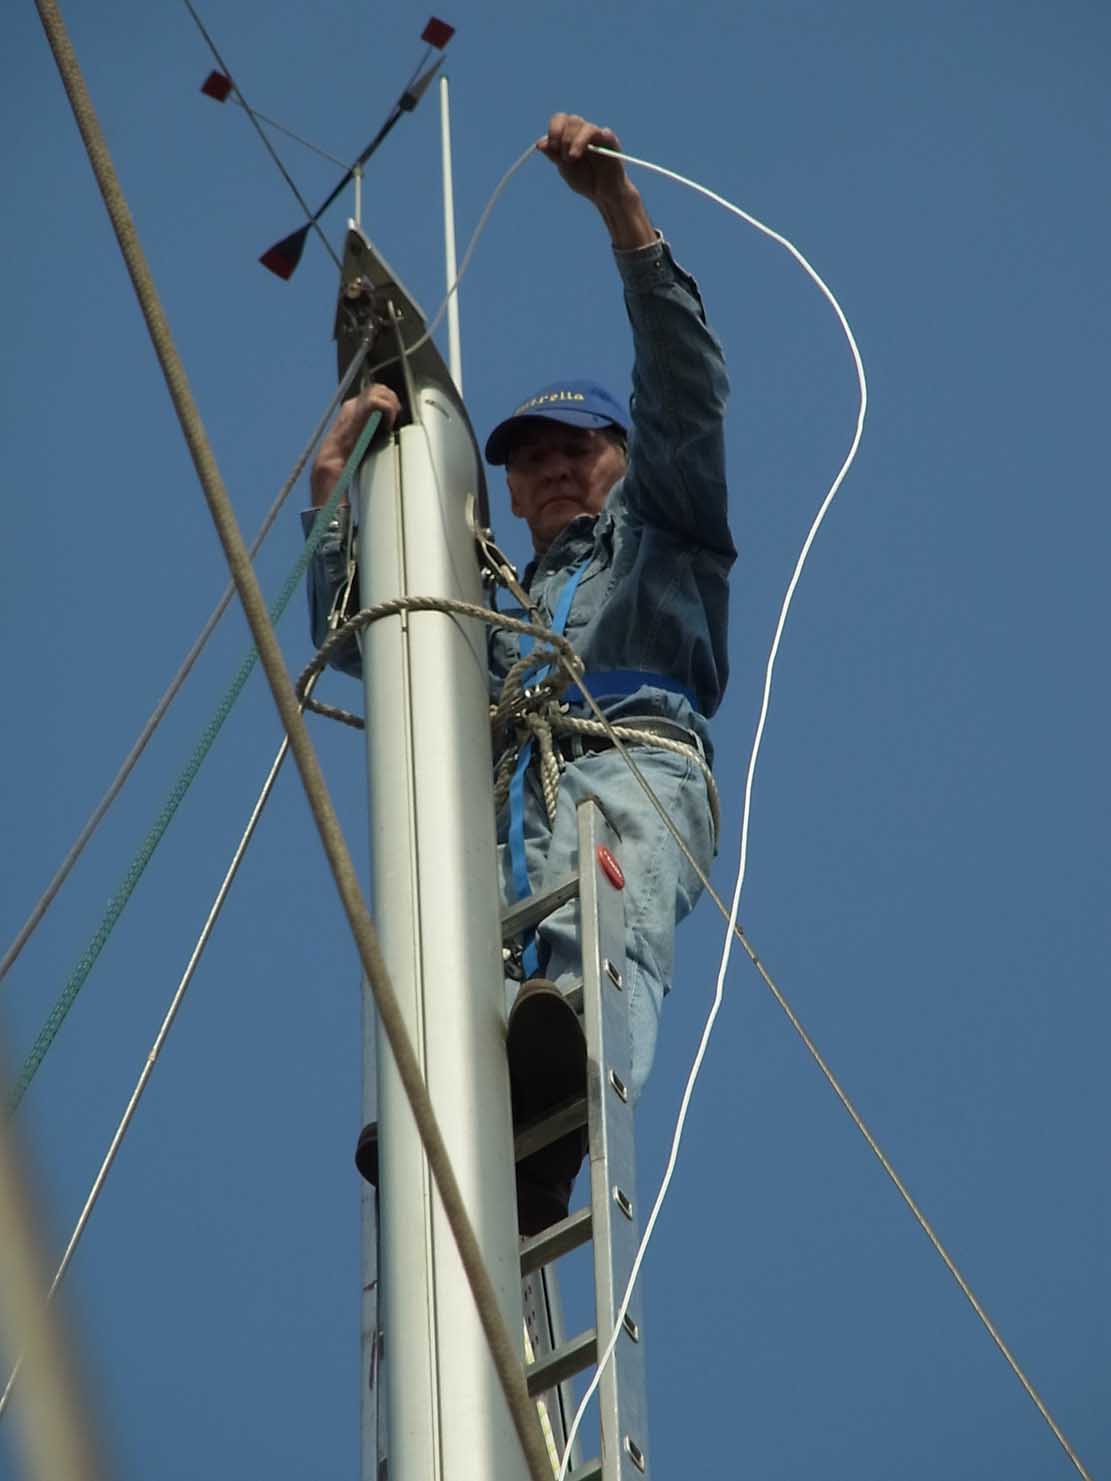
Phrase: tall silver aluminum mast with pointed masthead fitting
(438, 910)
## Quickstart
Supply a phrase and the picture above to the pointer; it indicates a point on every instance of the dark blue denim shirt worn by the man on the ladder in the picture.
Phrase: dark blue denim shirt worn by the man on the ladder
(655, 590)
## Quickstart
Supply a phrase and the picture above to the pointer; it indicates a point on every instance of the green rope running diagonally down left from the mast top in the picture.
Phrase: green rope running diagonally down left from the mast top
(119, 901)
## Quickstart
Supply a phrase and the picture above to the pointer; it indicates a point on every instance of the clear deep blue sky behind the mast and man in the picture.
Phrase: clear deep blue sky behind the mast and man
(928, 873)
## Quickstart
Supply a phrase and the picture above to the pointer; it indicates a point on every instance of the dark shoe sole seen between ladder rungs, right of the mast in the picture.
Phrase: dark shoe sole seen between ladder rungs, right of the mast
(547, 1052)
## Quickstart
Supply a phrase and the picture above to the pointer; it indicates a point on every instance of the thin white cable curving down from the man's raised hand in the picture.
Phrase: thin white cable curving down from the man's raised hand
(743, 863)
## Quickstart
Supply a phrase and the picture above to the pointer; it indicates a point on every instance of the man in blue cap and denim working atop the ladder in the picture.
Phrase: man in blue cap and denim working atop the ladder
(635, 532)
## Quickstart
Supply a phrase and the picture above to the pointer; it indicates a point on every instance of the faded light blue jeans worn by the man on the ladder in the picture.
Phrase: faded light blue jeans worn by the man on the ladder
(661, 888)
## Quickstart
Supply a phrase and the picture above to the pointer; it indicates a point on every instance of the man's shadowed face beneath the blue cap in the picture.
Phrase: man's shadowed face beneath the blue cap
(558, 473)
